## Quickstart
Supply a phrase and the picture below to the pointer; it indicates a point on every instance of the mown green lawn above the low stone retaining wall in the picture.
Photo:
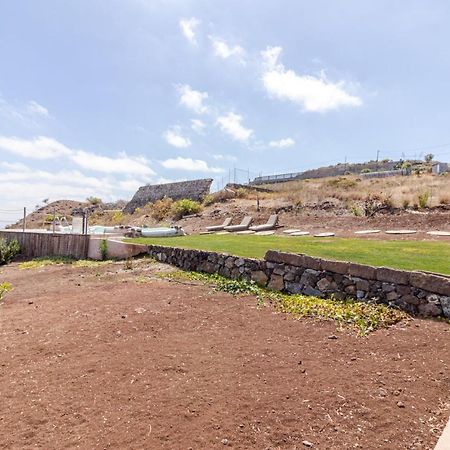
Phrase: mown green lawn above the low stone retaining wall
(430, 256)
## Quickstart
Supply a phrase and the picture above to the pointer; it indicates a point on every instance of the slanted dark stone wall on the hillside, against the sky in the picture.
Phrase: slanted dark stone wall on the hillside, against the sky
(193, 189)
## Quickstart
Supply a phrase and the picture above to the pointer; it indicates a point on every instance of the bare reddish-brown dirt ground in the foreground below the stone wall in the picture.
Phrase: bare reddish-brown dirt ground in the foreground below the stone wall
(98, 358)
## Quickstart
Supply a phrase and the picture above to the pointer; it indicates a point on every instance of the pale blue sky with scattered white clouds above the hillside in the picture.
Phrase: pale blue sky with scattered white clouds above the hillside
(100, 97)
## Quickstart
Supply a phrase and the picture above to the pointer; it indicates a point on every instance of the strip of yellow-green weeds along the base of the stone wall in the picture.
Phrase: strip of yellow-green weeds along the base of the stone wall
(364, 317)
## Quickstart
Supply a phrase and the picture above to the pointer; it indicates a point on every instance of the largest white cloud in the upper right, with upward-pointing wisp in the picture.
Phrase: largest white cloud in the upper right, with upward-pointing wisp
(315, 94)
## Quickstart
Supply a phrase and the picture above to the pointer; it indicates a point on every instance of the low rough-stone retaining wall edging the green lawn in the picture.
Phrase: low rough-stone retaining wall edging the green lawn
(415, 292)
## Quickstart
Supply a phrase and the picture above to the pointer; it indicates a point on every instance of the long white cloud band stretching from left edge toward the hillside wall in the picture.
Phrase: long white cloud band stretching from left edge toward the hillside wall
(43, 148)
